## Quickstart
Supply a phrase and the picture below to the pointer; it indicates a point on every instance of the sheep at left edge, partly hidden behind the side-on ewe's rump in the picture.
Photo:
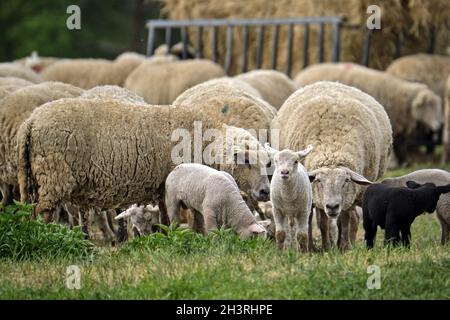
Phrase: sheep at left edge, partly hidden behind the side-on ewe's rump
(15, 109)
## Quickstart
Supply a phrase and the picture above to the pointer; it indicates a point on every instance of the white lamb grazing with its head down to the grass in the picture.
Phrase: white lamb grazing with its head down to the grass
(214, 199)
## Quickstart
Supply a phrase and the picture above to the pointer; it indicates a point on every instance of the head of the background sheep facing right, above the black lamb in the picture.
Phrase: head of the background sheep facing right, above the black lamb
(427, 108)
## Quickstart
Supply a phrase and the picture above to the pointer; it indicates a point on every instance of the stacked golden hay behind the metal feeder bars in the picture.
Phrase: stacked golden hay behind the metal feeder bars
(413, 18)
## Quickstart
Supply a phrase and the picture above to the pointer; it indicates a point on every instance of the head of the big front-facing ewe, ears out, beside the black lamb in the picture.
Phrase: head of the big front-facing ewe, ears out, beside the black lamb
(335, 189)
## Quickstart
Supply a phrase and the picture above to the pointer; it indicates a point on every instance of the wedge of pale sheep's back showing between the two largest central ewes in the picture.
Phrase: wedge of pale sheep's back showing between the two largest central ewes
(274, 86)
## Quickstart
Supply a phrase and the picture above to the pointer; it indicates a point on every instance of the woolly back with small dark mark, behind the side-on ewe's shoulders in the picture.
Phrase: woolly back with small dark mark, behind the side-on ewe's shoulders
(225, 103)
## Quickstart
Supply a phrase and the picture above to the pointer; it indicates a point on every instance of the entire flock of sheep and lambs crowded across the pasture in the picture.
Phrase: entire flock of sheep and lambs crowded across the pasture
(100, 138)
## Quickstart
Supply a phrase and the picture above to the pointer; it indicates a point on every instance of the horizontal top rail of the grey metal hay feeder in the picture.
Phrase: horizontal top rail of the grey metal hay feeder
(242, 22)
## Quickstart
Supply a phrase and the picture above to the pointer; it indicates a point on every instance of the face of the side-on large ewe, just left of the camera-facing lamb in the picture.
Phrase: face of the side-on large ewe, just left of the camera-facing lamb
(250, 173)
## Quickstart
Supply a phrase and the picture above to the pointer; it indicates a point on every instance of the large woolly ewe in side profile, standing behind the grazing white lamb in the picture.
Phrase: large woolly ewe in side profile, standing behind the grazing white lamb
(108, 153)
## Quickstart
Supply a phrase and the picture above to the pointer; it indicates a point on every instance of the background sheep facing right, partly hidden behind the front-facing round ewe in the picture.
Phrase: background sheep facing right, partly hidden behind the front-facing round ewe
(406, 103)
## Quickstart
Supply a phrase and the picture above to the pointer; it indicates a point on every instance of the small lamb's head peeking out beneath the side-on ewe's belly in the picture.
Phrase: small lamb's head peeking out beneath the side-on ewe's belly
(143, 218)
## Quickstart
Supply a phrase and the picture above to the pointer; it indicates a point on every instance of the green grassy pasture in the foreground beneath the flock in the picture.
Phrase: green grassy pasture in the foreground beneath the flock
(184, 265)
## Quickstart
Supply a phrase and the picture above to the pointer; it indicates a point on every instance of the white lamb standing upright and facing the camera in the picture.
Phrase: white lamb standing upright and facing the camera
(291, 196)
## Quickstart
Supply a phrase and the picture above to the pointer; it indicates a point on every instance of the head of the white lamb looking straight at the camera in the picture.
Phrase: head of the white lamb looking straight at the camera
(286, 161)
